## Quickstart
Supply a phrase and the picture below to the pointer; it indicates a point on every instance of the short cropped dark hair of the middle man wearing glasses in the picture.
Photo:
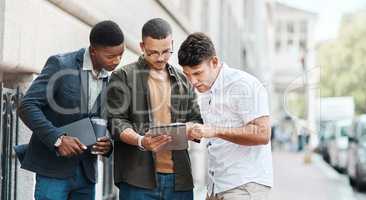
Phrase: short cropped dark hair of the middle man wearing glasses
(156, 28)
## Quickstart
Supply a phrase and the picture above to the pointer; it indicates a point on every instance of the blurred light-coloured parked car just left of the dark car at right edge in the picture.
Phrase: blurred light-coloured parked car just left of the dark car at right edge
(338, 145)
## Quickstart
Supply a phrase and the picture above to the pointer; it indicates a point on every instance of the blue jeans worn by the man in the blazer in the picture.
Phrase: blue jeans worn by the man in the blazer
(73, 188)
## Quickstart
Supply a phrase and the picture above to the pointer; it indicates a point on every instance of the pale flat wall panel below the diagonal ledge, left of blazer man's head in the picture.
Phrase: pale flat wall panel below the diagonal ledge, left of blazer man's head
(35, 30)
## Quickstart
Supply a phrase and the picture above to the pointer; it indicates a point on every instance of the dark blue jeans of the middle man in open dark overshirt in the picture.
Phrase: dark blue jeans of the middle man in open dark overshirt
(163, 191)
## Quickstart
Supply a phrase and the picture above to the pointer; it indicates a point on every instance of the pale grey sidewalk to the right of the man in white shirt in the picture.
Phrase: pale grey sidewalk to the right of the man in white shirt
(315, 181)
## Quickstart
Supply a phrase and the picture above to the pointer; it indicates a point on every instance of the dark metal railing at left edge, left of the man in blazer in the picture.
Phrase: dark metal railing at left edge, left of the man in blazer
(9, 129)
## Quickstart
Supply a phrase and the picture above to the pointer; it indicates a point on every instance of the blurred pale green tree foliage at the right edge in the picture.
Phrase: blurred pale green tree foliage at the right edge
(343, 62)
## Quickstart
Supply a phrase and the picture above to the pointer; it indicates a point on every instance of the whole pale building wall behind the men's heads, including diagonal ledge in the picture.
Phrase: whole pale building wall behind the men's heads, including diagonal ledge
(49, 27)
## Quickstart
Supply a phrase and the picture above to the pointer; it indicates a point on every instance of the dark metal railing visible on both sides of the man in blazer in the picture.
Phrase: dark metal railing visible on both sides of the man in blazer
(9, 131)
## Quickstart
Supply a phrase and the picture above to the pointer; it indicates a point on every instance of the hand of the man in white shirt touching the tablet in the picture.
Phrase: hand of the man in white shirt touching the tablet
(199, 131)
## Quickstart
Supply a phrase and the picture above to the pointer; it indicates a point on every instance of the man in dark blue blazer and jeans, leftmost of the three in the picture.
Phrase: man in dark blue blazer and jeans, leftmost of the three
(68, 89)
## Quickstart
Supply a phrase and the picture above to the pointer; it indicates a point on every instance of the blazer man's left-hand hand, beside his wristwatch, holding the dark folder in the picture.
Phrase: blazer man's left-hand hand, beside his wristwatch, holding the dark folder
(70, 146)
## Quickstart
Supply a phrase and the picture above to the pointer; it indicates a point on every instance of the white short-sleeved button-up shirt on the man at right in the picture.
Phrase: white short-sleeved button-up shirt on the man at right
(235, 99)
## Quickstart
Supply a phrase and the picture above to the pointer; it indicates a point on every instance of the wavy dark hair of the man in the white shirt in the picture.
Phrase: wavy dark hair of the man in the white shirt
(197, 48)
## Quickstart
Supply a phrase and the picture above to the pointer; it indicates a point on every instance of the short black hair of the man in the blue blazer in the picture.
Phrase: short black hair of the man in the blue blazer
(106, 33)
